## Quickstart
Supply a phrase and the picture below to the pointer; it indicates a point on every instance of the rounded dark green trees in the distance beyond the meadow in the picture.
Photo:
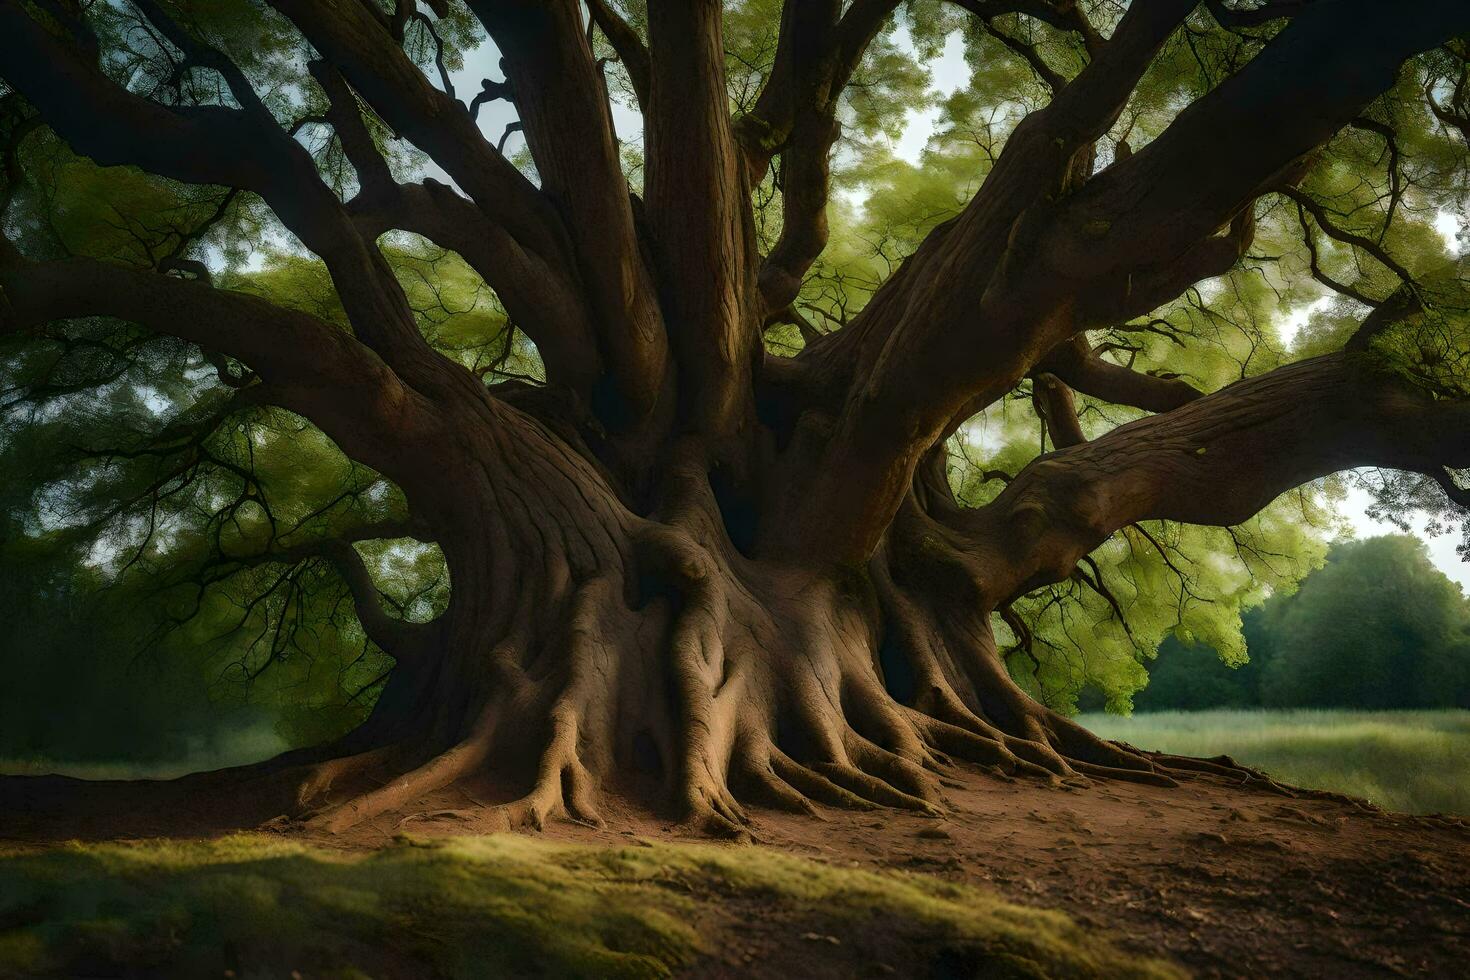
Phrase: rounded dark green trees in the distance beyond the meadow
(1380, 627)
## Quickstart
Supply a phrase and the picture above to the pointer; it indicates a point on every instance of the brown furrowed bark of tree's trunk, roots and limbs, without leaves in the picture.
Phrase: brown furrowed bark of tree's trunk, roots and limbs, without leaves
(687, 569)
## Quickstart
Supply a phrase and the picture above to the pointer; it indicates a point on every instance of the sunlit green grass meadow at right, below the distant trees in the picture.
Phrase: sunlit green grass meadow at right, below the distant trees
(1413, 762)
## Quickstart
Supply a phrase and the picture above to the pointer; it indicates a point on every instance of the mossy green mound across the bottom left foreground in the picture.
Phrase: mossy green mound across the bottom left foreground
(474, 907)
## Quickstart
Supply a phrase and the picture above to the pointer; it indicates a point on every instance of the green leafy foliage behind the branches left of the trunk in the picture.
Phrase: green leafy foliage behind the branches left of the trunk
(157, 527)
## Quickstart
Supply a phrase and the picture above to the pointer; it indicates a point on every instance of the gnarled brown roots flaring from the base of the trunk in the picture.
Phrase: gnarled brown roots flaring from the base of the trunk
(765, 693)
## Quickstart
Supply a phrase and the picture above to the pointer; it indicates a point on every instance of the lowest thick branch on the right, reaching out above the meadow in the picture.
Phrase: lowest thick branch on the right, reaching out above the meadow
(1216, 462)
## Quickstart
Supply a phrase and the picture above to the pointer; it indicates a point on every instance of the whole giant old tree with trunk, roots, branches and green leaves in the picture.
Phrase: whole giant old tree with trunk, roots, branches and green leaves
(692, 466)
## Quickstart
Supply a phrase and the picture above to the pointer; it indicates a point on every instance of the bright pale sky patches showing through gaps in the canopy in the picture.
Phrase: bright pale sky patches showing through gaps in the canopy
(949, 74)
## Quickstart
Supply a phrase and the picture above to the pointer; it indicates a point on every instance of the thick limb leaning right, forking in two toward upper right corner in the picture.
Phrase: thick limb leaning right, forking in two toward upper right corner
(987, 296)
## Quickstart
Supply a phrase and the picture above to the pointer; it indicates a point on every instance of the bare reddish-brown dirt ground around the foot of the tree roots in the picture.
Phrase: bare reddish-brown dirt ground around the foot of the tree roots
(1225, 881)
